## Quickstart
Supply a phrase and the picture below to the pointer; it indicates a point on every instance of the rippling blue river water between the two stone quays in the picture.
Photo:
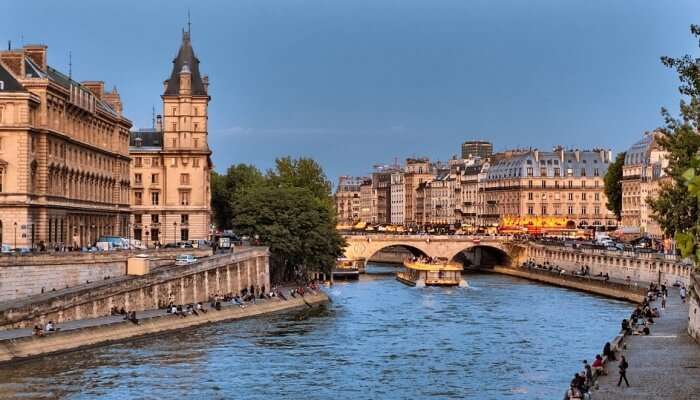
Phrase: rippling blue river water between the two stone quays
(501, 338)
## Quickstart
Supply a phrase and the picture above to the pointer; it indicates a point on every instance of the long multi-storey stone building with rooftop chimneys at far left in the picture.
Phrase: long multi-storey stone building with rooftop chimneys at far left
(64, 160)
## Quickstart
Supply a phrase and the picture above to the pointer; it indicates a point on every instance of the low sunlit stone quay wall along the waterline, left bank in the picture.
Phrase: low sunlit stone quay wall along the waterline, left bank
(30, 347)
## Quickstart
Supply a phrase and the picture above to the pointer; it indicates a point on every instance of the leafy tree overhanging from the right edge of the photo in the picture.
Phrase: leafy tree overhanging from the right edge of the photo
(675, 209)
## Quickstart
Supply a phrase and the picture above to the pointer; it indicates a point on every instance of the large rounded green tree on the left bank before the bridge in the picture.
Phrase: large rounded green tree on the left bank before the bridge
(297, 226)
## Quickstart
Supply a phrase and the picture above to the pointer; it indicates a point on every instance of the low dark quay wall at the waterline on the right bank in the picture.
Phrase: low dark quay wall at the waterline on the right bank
(608, 289)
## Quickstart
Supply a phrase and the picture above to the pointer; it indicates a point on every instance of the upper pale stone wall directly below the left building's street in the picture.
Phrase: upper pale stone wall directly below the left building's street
(30, 274)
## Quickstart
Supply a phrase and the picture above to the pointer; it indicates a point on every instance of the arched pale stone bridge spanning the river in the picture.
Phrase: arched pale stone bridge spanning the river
(501, 250)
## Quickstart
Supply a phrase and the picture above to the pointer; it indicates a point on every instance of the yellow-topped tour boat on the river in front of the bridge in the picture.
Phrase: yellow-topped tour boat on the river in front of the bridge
(431, 273)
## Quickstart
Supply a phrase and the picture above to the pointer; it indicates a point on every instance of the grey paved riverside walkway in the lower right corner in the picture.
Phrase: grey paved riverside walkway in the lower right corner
(663, 365)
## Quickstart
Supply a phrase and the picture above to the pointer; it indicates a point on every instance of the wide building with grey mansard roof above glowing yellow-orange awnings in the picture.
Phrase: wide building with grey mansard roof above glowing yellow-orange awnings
(562, 189)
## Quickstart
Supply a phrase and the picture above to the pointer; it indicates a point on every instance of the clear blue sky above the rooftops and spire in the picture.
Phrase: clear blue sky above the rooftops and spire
(355, 83)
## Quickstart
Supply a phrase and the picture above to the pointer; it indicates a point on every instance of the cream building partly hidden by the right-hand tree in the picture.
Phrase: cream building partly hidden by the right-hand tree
(643, 173)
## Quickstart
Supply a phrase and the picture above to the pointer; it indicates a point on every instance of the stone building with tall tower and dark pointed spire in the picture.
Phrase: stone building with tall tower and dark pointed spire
(171, 164)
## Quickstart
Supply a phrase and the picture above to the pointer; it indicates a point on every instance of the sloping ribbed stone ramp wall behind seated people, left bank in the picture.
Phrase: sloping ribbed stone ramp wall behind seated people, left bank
(222, 273)
